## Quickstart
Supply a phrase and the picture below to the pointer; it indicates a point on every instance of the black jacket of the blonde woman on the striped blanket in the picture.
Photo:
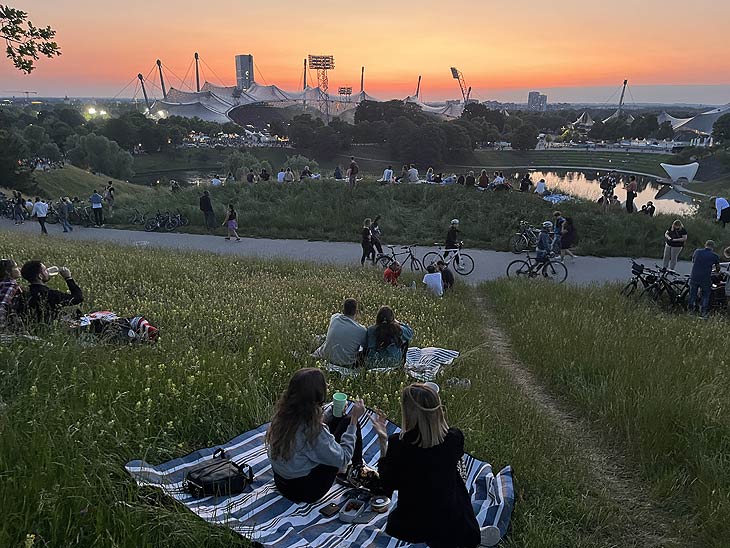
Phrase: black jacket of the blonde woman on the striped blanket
(433, 504)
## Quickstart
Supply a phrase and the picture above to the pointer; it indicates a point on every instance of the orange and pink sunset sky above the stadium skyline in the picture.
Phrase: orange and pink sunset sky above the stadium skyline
(572, 50)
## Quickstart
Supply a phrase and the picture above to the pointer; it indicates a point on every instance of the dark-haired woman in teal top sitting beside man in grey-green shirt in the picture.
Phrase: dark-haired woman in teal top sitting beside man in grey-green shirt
(387, 340)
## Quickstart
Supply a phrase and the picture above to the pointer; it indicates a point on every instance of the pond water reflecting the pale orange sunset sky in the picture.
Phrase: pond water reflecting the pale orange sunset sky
(584, 184)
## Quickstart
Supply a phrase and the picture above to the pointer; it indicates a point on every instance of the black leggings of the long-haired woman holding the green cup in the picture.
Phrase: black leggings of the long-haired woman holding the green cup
(314, 486)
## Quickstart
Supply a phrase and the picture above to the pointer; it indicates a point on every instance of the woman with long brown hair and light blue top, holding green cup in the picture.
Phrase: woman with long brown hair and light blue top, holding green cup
(306, 447)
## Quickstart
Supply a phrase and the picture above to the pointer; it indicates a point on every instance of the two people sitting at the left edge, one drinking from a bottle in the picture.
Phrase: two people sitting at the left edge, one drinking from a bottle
(38, 303)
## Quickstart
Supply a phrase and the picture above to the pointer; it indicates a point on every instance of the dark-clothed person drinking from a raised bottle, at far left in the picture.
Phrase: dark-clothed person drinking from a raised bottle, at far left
(43, 305)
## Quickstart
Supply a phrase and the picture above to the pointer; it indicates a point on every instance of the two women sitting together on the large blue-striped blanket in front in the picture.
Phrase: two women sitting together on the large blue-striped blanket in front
(308, 448)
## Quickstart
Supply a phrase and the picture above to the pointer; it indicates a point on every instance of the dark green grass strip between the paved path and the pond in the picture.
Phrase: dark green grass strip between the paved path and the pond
(326, 210)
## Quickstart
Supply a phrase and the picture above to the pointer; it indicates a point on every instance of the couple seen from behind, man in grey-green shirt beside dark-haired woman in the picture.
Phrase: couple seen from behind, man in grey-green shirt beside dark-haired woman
(350, 344)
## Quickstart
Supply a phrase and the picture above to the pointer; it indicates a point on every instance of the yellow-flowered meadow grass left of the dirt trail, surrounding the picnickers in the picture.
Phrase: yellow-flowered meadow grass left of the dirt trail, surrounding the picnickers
(71, 415)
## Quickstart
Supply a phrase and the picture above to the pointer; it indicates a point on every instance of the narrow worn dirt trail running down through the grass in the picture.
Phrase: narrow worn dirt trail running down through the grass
(649, 526)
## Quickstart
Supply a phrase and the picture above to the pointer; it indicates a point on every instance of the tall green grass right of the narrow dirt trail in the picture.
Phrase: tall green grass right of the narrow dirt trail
(655, 384)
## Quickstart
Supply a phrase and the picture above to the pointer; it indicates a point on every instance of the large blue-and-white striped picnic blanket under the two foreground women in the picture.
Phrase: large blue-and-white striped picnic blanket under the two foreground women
(262, 515)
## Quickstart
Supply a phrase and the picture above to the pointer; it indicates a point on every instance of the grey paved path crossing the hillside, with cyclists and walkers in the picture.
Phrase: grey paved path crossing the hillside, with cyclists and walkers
(489, 265)
